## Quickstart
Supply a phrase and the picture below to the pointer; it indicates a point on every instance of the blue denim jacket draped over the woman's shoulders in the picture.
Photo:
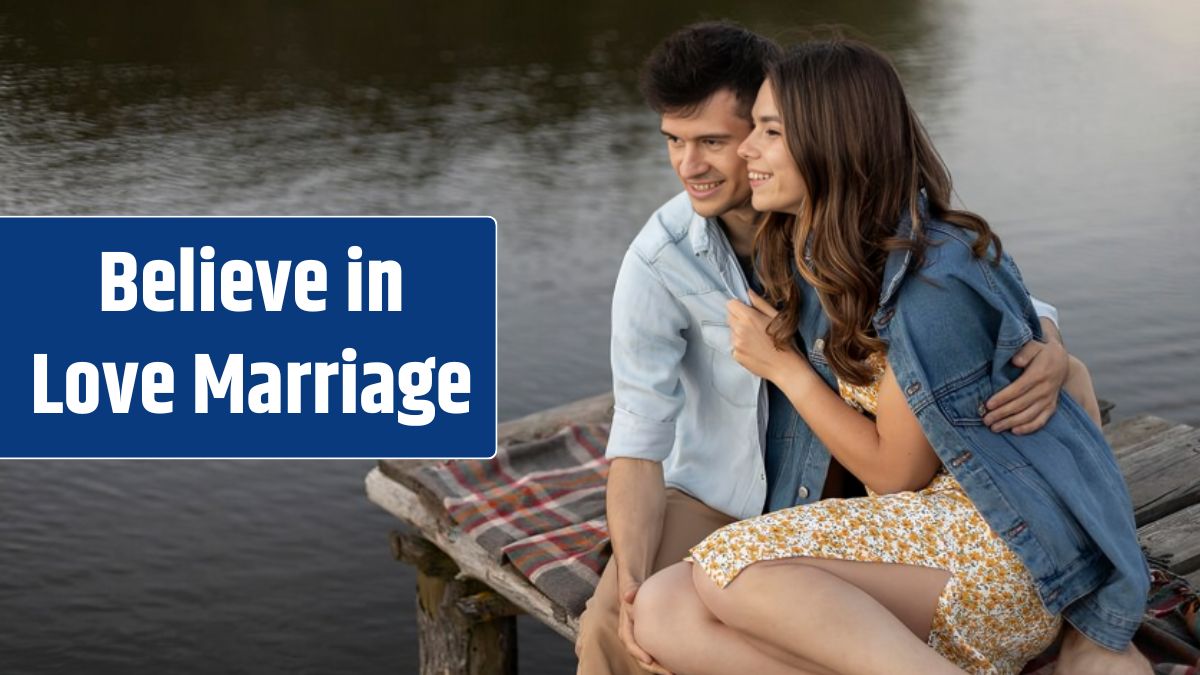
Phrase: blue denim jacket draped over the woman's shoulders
(1055, 497)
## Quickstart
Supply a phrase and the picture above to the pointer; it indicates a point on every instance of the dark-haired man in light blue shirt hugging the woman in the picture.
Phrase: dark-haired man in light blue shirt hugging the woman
(697, 441)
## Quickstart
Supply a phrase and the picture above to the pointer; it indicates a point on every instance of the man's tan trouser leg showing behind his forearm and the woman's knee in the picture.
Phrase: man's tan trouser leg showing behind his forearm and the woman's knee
(686, 523)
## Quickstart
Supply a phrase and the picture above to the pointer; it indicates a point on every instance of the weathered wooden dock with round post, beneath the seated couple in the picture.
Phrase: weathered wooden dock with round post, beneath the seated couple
(467, 604)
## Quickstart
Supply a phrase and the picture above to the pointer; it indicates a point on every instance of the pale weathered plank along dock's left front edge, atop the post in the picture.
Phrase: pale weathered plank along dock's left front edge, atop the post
(472, 559)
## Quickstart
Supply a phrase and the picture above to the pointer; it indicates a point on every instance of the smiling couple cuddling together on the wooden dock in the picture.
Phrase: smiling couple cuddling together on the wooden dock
(837, 399)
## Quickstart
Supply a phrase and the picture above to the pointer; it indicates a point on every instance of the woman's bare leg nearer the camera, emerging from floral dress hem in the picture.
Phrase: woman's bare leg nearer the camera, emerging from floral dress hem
(845, 617)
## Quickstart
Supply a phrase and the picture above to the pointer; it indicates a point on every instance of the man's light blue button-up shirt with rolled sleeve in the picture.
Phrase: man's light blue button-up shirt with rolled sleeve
(681, 398)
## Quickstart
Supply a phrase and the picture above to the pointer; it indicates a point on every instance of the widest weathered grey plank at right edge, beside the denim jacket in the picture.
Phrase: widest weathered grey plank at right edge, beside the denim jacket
(1162, 477)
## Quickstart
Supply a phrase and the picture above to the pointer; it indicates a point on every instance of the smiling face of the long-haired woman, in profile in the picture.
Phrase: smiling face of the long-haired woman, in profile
(773, 174)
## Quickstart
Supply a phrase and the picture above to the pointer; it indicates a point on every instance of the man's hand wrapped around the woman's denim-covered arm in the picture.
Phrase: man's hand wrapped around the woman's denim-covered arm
(1028, 404)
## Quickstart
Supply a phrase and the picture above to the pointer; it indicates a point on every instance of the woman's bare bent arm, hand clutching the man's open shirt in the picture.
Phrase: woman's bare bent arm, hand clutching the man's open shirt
(889, 456)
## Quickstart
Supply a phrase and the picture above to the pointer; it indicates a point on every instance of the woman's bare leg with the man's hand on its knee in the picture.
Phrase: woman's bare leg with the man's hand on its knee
(677, 630)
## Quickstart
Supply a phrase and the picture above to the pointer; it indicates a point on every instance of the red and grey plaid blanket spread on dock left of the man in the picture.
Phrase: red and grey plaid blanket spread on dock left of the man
(538, 505)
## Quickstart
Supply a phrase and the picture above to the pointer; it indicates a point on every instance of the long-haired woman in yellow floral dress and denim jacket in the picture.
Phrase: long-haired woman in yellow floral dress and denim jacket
(971, 543)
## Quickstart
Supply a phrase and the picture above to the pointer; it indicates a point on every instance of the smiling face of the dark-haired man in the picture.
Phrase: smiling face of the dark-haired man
(704, 150)
